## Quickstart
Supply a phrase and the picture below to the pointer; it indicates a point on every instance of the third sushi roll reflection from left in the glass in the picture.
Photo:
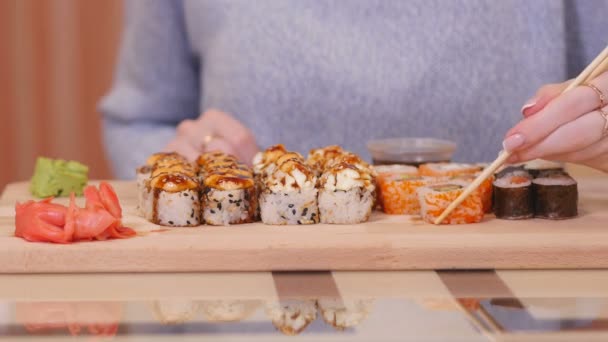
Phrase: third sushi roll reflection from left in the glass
(291, 317)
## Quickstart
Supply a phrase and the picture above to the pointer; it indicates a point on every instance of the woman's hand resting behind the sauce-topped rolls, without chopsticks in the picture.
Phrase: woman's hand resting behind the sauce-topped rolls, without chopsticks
(213, 130)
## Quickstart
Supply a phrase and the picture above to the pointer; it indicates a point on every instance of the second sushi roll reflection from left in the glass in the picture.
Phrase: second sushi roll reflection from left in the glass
(228, 310)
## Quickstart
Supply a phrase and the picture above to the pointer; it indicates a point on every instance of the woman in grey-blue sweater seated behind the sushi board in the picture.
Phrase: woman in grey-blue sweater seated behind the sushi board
(239, 75)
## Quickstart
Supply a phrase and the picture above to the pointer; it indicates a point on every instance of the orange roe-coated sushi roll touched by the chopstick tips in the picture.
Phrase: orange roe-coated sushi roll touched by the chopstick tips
(434, 199)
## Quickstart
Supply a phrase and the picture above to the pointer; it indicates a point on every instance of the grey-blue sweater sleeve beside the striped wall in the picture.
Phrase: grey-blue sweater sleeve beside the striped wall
(155, 86)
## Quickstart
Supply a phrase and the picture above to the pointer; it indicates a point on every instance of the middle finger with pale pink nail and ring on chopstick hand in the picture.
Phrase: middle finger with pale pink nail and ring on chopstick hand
(563, 109)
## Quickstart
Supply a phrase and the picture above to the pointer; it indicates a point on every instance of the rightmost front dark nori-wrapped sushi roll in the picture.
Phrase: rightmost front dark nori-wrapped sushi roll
(556, 196)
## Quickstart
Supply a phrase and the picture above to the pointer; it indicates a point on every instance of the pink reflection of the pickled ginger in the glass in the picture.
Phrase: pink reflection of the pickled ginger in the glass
(94, 318)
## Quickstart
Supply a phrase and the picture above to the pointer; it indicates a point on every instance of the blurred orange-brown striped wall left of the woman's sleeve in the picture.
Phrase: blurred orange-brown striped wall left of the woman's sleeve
(56, 61)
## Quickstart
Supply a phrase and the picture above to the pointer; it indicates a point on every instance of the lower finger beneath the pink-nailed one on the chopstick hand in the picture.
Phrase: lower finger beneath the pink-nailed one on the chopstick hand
(574, 136)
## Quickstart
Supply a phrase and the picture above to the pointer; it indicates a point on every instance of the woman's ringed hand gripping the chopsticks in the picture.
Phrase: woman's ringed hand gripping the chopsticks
(568, 128)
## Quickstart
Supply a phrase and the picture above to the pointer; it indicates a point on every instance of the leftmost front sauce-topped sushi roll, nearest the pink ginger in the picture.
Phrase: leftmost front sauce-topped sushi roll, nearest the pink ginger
(172, 199)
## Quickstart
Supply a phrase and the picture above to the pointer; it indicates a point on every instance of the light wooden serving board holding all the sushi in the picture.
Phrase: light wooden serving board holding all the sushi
(384, 243)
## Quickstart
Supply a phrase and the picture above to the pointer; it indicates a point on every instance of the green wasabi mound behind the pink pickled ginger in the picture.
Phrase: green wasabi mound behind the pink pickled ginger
(56, 177)
